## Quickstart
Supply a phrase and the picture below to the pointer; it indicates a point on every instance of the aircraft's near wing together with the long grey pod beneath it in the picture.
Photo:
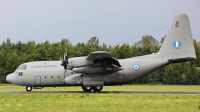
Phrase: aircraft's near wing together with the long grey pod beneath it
(98, 62)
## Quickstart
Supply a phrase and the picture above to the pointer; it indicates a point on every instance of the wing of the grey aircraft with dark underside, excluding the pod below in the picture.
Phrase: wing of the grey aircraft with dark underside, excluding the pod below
(102, 56)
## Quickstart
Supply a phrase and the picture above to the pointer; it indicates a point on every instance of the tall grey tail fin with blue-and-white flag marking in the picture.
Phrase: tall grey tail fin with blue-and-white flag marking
(178, 44)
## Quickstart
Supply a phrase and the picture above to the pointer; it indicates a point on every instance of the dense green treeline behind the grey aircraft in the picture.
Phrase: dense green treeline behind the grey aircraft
(14, 54)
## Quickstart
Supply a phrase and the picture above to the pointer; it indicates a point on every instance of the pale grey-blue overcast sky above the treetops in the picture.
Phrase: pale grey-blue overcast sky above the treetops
(112, 21)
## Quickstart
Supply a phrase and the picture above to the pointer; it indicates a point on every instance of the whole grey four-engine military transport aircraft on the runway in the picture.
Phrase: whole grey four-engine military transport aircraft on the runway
(100, 69)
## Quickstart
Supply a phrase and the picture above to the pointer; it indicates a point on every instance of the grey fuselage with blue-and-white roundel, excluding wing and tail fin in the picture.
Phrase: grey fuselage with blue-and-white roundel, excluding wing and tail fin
(52, 74)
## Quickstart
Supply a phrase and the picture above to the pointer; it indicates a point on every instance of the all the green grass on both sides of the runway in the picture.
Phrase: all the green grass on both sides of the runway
(95, 102)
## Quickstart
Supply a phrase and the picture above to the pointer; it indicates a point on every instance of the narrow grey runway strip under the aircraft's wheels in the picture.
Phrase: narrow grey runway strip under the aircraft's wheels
(102, 92)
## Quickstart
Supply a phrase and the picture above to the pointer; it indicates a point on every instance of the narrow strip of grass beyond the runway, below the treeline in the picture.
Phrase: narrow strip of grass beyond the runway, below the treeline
(112, 88)
